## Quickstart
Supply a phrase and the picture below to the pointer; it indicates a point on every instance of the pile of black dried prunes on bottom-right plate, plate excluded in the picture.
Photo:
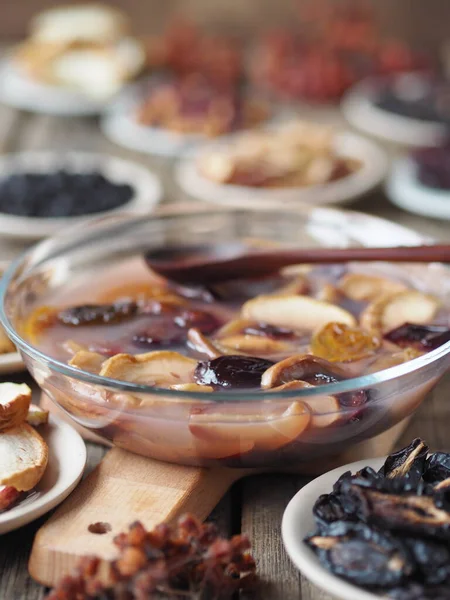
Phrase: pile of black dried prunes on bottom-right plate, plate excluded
(389, 530)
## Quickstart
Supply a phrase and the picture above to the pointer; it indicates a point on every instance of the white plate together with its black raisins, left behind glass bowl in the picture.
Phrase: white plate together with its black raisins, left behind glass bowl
(43, 192)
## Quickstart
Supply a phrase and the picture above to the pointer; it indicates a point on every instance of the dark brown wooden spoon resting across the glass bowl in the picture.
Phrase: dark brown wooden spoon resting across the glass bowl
(206, 264)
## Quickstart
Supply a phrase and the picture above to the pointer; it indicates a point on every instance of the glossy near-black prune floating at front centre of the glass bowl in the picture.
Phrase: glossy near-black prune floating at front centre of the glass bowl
(232, 371)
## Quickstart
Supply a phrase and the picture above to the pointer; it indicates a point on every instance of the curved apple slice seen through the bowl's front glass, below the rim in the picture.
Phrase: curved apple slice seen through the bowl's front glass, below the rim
(266, 432)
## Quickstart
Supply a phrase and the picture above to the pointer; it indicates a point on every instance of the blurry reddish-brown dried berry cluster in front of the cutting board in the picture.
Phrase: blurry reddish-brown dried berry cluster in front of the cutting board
(188, 561)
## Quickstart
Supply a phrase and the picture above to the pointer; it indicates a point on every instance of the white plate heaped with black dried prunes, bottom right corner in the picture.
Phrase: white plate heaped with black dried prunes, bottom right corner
(377, 528)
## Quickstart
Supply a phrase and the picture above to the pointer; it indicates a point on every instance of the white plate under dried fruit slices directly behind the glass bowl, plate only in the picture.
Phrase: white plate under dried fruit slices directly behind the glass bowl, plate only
(370, 174)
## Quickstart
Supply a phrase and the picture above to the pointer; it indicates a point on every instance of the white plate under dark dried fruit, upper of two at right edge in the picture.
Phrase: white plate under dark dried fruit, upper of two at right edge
(361, 112)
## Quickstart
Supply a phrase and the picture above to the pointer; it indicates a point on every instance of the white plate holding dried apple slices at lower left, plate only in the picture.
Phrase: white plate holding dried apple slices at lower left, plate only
(67, 459)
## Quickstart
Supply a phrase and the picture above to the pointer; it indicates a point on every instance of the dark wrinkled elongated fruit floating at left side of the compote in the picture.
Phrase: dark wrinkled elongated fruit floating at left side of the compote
(98, 314)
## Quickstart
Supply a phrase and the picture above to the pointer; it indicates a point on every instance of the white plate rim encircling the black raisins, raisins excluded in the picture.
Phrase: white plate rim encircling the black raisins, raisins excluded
(147, 188)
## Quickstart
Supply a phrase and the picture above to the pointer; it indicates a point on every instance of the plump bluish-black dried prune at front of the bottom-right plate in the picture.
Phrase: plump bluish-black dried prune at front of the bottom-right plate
(362, 554)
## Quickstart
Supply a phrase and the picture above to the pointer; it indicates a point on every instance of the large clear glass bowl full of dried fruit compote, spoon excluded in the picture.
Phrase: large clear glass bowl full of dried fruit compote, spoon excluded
(261, 371)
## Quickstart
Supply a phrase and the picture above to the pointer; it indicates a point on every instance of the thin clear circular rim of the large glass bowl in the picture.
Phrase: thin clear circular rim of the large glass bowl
(348, 385)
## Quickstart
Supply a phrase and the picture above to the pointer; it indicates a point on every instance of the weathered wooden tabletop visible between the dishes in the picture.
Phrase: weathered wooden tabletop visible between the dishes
(256, 504)
